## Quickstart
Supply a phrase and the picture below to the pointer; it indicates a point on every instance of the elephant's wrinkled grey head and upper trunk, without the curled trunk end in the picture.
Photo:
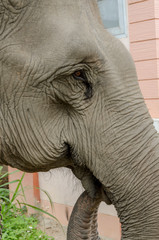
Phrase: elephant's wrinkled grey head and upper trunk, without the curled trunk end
(69, 98)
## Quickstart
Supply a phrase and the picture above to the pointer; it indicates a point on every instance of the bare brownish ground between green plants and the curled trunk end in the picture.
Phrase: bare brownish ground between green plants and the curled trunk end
(53, 228)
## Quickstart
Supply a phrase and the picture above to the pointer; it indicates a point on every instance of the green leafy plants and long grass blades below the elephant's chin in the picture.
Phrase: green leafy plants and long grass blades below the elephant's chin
(16, 224)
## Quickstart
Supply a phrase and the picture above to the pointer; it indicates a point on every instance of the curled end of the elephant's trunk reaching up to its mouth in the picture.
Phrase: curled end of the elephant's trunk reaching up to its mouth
(83, 221)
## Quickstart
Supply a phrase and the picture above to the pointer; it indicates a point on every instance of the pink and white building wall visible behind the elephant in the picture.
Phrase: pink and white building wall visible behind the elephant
(144, 47)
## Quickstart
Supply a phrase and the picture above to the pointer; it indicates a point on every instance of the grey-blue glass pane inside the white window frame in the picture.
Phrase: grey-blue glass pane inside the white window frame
(109, 10)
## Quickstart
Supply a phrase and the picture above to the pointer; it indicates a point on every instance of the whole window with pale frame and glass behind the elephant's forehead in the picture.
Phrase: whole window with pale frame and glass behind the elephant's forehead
(113, 13)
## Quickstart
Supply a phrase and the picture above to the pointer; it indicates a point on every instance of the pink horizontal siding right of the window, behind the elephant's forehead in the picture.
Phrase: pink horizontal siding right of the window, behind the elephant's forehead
(144, 47)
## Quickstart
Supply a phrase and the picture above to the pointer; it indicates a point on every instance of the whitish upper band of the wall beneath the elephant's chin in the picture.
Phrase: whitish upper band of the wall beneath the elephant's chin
(64, 188)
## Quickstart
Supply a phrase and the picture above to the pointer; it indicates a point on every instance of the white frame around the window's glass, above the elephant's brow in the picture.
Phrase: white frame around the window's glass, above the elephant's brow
(121, 31)
